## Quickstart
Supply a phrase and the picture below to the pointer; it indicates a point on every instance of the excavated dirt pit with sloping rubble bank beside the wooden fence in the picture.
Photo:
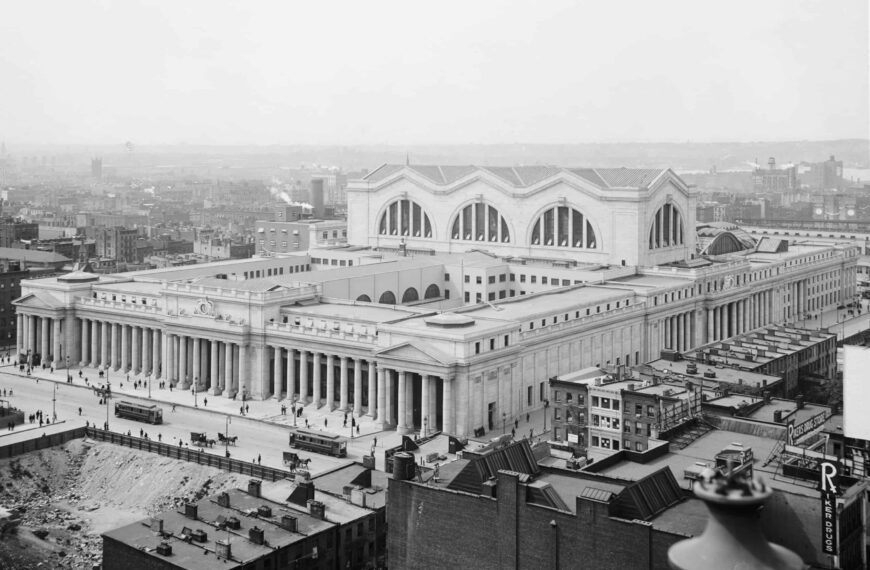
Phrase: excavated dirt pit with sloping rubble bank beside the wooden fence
(69, 495)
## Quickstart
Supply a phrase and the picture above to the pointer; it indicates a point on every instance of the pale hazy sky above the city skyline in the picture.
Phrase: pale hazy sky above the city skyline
(405, 72)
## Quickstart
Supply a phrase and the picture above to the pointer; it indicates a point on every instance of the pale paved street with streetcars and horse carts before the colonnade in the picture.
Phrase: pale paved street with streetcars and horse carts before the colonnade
(262, 430)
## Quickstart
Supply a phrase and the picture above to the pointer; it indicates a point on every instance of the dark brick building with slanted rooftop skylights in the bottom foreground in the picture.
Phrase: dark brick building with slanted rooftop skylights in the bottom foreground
(502, 510)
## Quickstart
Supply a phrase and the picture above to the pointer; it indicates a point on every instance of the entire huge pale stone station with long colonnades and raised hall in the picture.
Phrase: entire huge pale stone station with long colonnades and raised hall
(463, 291)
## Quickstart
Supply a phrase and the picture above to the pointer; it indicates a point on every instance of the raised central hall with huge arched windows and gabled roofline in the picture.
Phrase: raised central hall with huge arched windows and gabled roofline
(583, 215)
